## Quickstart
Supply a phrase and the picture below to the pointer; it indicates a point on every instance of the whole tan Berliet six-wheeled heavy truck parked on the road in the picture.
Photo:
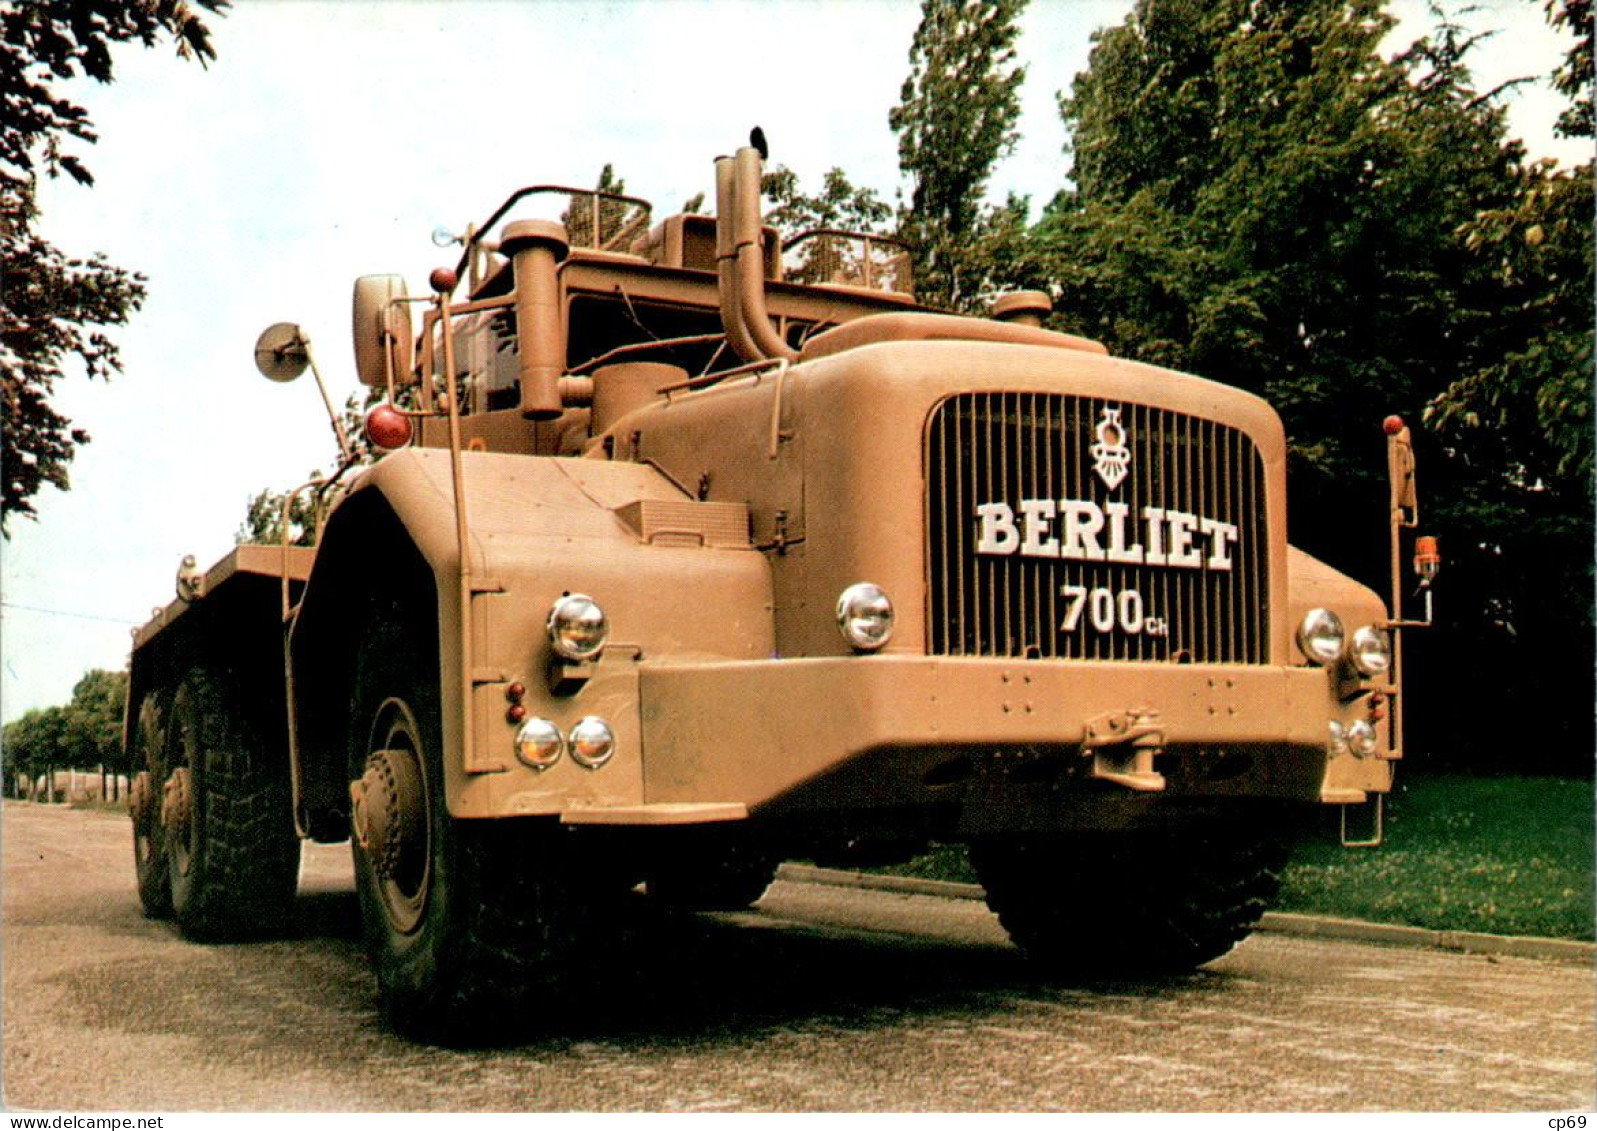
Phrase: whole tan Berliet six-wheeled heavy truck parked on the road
(694, 550)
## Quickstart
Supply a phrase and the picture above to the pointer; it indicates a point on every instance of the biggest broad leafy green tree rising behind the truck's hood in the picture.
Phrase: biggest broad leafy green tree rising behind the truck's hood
(1264, 199)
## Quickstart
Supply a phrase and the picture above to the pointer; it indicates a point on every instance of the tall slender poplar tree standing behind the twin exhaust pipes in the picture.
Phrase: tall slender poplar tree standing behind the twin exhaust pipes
(956, 117)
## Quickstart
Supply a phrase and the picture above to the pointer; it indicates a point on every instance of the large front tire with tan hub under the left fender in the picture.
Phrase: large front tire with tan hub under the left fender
(469, 923)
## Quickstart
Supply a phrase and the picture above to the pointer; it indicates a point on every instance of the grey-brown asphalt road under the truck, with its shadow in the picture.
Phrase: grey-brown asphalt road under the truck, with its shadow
(822, 999)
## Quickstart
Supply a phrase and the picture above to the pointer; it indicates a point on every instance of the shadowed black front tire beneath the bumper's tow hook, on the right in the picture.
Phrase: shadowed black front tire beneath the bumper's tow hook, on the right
(1131, 905)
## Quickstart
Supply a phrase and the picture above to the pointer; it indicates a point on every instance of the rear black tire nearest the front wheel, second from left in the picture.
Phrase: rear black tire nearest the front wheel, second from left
(232, 852)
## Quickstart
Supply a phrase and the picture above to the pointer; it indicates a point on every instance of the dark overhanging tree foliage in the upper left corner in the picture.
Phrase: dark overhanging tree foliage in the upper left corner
(53, 304)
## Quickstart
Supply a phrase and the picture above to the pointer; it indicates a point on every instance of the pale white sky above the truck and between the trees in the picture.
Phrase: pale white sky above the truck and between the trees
(330, 140)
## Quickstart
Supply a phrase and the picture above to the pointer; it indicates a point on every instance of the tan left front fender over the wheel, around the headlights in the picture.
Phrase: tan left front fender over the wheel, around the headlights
(676, 579)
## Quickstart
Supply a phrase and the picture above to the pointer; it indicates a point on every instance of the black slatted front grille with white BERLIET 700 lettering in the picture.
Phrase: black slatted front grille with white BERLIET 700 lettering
(1183, 589)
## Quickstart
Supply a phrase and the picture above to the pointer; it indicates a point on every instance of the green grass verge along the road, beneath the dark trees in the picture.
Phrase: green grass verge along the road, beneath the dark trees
(1492, 855)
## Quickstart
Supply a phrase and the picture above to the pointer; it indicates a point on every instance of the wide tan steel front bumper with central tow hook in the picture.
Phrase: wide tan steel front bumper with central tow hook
(857, 734)
